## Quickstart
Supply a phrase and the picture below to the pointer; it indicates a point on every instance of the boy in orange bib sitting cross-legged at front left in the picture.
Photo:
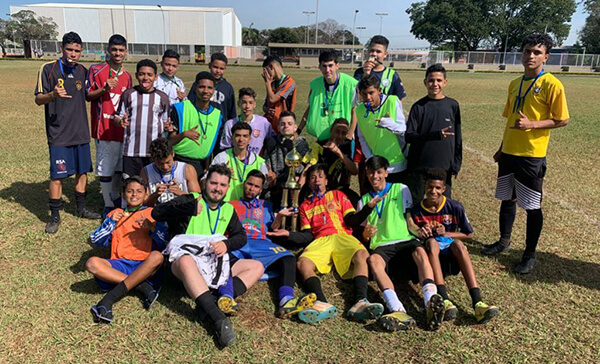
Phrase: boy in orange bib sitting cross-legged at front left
(136, 242)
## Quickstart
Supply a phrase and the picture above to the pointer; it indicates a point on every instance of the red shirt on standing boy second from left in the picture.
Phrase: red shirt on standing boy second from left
(105, 107)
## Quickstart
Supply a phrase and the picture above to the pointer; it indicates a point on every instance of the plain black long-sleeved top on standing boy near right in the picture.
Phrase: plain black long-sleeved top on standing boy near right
(428, 149)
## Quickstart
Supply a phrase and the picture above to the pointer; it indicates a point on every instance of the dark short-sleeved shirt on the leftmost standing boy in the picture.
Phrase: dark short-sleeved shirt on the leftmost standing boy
(66, 119)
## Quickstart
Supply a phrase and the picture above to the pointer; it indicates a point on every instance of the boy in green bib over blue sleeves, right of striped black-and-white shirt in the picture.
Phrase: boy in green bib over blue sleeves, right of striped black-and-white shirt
(196, 125)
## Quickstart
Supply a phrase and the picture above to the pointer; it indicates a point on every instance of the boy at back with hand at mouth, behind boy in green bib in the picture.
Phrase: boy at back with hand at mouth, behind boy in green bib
(389, 80)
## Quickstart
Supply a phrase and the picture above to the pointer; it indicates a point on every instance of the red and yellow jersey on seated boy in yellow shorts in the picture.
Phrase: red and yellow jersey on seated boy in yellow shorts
(325, 215)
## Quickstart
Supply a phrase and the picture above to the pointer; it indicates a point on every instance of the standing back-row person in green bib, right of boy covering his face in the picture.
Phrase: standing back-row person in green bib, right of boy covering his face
(331, 96)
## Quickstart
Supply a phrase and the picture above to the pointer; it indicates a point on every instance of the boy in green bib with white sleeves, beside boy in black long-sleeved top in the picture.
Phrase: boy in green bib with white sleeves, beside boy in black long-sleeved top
(381, 127)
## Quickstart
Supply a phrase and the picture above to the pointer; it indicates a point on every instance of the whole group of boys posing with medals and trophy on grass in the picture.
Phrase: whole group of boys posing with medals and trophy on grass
(202, 188)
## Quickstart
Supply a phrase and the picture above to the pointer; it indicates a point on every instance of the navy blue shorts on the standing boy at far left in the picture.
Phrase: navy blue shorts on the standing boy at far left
(66, 161)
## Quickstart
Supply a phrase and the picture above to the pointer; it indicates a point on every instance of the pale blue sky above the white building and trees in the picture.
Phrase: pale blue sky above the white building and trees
(396, 26)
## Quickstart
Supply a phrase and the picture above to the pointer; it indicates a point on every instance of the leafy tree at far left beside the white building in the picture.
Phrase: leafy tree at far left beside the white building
(26, 27)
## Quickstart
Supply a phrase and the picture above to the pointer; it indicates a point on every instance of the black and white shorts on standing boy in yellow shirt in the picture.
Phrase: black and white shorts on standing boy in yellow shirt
(521, 178)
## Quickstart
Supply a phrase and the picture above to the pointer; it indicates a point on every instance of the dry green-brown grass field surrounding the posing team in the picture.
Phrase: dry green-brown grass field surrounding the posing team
(551, 315)
